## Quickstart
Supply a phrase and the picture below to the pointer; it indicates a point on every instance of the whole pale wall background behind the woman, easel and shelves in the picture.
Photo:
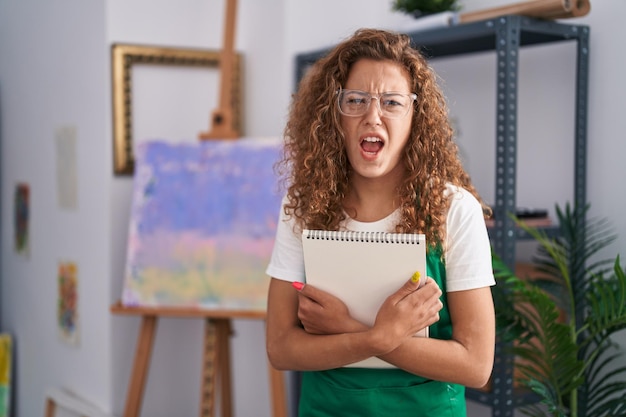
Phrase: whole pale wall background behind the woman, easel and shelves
(54, 72)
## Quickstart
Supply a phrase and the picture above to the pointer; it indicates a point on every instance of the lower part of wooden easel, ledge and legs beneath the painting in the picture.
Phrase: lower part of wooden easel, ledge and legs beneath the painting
(216, 360)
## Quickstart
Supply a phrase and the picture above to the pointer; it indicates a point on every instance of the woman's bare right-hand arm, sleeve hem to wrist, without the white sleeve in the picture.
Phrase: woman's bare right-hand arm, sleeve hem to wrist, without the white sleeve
(468, 357)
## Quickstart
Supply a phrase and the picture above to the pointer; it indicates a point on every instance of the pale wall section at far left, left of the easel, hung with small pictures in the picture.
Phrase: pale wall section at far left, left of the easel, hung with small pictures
(53, 73)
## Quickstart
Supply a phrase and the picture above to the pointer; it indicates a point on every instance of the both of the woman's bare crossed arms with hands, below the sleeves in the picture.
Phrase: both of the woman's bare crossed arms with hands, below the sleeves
(333, 339)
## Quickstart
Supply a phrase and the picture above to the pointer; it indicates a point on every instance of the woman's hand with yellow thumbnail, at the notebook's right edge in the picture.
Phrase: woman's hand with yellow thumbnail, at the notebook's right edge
(407, 311)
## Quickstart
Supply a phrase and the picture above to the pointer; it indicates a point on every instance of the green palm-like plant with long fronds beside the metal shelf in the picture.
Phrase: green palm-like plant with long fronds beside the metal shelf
(561, 325)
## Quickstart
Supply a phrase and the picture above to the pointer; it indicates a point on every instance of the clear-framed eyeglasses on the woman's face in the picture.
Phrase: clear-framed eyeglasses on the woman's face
(392, 105)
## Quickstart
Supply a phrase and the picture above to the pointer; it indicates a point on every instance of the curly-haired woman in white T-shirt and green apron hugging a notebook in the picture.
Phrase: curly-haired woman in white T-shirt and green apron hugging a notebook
(369, 148)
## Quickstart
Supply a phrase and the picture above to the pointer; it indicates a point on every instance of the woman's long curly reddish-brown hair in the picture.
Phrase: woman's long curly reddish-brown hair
(315, 164)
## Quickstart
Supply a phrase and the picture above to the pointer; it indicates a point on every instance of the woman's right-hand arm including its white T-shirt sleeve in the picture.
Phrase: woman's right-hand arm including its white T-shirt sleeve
(468, 357)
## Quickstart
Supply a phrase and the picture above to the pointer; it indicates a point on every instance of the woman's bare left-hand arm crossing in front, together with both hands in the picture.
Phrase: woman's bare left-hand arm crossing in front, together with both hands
(332, 338)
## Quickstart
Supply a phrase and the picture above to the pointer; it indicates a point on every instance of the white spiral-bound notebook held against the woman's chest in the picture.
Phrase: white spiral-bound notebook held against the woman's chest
(363, 269)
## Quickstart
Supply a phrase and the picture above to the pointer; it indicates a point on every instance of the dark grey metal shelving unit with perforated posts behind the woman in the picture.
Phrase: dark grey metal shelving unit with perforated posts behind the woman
(505, 36)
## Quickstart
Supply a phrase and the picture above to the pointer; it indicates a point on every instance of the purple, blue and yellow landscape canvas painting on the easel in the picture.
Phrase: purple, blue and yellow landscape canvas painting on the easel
(203, 223)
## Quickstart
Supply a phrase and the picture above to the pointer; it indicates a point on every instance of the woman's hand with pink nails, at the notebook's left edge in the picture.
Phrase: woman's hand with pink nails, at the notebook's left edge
(322, 313)
